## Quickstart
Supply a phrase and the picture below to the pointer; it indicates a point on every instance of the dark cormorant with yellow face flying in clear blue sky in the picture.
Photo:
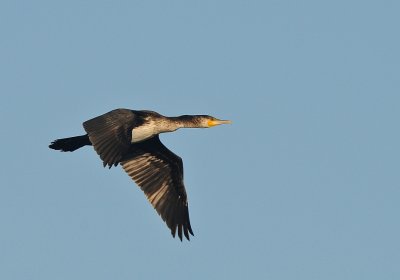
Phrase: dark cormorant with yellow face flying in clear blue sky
(130, 138)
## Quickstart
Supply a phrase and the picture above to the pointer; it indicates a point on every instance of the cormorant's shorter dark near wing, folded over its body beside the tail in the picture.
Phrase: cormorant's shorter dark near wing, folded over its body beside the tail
(111, 134)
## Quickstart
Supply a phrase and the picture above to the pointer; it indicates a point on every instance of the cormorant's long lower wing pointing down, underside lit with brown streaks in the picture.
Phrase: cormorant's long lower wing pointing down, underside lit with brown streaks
(159, 173)
